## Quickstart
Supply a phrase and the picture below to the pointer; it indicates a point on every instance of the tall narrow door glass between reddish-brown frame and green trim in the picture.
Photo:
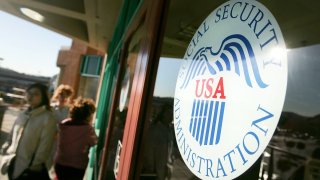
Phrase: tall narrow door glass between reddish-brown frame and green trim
(123, 94)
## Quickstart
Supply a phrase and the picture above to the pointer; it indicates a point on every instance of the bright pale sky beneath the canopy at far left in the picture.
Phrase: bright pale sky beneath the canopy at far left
(28, 48)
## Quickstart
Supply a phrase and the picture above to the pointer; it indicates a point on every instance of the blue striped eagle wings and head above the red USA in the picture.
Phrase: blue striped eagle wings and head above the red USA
(235, 55)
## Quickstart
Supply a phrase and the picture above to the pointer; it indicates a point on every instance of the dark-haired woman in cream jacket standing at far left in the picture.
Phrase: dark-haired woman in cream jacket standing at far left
(30, 142)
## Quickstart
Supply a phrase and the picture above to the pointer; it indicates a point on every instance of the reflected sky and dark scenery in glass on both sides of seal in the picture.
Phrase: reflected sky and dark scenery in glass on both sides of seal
(293, 152)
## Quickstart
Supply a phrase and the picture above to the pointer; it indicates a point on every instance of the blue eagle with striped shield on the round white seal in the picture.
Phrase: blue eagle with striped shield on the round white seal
(235, 55)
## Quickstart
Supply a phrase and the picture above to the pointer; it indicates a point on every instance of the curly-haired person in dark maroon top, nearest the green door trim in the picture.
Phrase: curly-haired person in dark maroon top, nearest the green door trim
(76, 136)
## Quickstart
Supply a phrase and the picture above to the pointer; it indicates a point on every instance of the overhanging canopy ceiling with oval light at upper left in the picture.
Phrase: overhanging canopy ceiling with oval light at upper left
(90, 21)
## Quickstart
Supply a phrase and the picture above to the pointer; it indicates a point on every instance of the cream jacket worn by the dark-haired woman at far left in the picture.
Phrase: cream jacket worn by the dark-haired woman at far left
(34, 143)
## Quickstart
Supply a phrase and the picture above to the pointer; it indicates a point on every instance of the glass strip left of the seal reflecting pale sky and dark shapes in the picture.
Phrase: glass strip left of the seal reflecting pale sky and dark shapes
(161, 157)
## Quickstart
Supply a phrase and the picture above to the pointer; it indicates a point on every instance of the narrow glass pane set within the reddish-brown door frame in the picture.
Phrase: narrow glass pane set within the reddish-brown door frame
(118, 123)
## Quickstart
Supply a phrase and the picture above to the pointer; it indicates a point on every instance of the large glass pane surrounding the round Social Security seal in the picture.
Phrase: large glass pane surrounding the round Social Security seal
(294, 150)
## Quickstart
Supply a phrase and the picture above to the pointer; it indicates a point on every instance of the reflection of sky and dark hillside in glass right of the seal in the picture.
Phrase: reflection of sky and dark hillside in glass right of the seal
(294, 151)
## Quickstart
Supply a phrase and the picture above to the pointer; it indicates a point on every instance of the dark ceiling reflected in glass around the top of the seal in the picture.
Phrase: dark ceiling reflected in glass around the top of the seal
(299, 21)
